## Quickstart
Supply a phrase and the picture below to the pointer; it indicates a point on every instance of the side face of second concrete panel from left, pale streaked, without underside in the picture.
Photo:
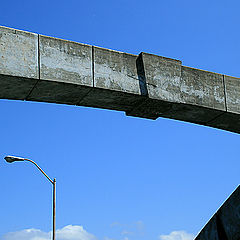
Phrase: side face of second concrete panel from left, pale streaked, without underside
(65, 61)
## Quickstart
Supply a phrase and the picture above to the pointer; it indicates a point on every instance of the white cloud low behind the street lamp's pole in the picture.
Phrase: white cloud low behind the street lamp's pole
(69, 232)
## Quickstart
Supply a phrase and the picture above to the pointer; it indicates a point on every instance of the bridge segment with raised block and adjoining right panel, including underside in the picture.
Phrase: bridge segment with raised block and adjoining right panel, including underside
(183, 93)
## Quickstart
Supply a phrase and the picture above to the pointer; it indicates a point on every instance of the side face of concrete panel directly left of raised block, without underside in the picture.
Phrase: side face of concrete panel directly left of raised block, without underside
(115, 71)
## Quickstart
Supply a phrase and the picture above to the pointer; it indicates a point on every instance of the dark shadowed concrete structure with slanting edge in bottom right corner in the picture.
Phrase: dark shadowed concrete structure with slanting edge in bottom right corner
(225, 224)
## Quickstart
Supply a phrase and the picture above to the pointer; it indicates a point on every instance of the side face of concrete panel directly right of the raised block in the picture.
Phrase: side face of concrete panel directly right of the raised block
(202, 88)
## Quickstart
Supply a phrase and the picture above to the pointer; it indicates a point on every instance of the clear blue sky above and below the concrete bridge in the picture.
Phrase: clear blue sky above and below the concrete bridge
(118, 177)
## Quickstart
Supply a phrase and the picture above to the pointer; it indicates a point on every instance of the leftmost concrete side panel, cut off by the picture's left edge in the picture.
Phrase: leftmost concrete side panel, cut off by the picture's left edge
(18, 53)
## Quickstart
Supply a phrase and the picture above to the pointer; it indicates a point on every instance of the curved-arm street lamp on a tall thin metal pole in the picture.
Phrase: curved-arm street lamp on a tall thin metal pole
(11, 159)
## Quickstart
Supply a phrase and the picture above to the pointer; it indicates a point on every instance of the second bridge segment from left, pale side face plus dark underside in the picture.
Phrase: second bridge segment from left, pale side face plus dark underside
(65, 71)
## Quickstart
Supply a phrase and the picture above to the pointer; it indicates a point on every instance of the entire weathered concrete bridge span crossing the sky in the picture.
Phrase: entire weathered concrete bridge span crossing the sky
(34, 67)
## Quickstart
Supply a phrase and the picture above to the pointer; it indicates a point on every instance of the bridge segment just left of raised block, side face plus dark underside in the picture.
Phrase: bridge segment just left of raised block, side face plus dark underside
(116, 81)
